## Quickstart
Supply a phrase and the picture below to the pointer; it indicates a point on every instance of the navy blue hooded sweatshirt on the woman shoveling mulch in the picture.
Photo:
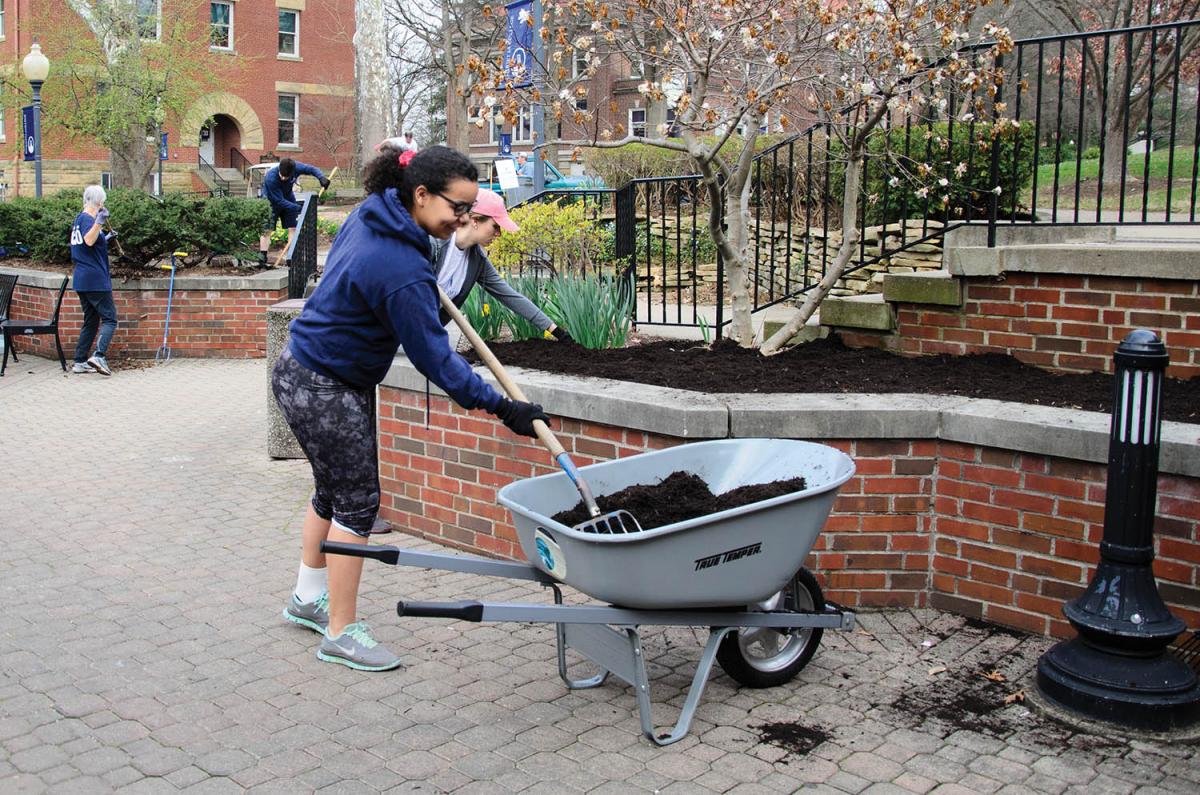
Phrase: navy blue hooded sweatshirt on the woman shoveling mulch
(377, 294)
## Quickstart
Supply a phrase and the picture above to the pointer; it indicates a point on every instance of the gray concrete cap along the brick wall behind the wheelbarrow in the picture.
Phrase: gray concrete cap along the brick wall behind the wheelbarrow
(1043, 431)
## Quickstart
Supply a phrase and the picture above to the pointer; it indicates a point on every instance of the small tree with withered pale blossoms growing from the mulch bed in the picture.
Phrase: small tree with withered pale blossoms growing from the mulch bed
(727, 67)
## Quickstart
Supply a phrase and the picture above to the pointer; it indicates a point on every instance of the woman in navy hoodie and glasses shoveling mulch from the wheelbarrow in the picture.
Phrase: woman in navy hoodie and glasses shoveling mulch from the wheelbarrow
(377, 294)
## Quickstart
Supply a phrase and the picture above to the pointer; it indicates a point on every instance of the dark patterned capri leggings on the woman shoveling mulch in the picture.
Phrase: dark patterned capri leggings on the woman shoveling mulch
(335, 425)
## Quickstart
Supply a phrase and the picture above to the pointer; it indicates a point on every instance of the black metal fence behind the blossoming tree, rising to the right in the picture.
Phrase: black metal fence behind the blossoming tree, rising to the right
(1084, 129)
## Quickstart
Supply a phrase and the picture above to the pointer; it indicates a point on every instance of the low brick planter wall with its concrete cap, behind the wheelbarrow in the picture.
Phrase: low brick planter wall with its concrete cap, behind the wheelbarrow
(989, 510)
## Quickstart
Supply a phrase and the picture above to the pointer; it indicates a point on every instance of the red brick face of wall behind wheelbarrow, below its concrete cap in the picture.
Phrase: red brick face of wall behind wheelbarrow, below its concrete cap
(999, 535)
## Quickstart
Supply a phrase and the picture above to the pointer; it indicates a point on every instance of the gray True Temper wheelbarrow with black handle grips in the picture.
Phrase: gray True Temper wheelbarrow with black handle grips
(739, 572)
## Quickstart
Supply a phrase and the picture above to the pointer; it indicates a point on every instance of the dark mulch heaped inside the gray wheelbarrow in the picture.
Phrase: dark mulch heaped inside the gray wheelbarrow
(681, 497)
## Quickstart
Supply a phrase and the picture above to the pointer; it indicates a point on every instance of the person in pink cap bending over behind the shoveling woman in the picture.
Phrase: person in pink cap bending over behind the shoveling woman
(460, 262)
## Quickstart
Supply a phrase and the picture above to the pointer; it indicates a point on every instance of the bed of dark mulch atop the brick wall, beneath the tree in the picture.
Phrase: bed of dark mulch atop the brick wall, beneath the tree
(830, 367)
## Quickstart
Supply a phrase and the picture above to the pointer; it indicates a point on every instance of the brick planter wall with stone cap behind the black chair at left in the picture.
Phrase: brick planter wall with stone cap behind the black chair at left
(219, 318)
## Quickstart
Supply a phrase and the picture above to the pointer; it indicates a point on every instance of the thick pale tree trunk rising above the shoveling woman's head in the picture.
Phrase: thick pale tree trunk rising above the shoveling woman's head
(373, 83)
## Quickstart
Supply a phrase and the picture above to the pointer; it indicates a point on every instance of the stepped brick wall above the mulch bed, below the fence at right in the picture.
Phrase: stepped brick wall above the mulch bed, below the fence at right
(1054, 321)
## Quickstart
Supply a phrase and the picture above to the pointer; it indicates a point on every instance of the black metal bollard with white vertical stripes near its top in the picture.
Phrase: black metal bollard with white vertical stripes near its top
(1118, 670)
